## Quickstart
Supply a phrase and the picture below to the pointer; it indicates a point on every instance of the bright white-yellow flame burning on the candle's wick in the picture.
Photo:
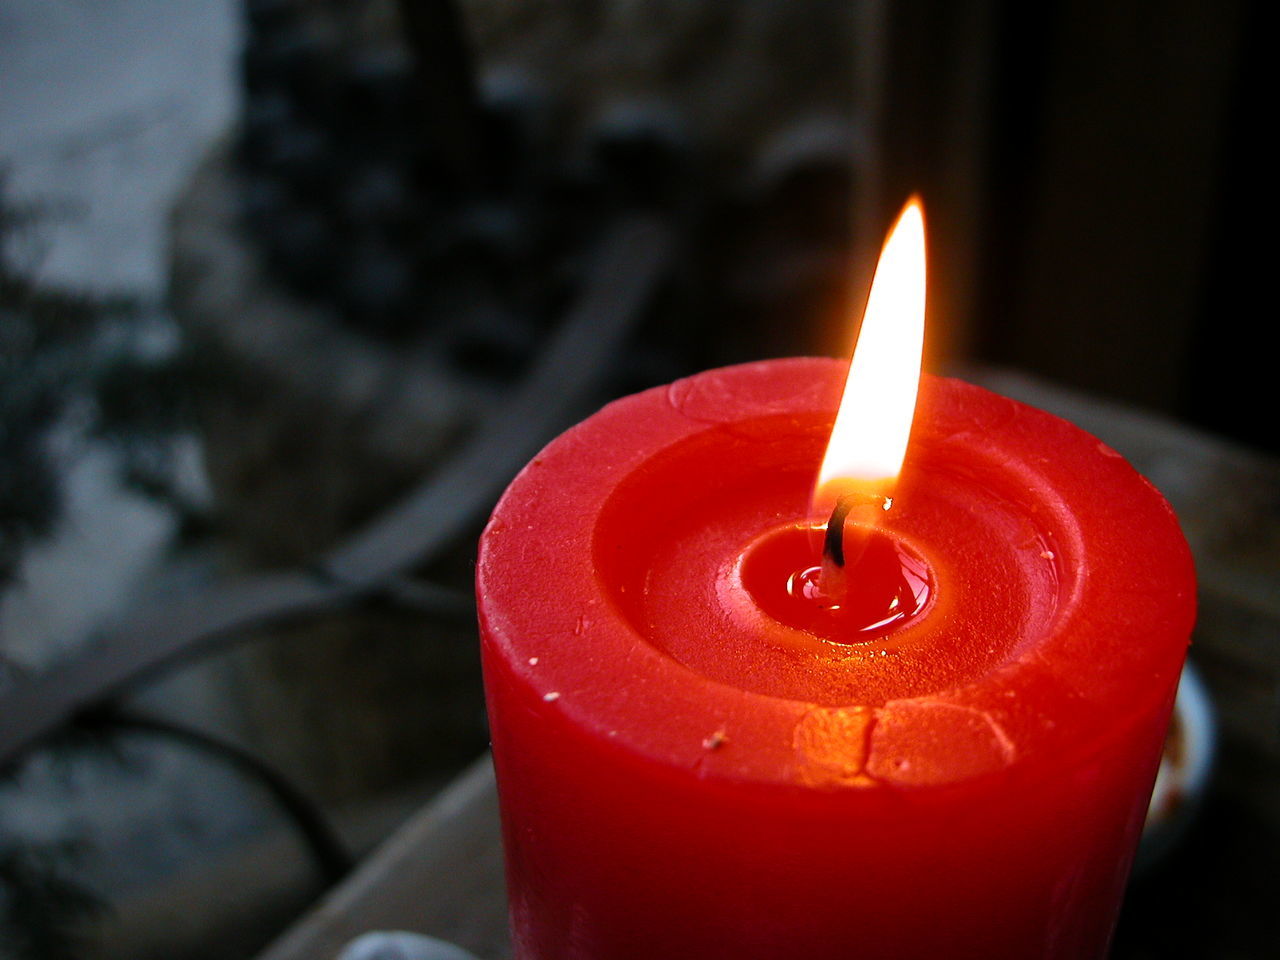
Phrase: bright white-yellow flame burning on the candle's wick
(868, 441)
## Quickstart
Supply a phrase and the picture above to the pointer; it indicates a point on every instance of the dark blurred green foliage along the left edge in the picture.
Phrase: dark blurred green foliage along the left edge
(117, 374)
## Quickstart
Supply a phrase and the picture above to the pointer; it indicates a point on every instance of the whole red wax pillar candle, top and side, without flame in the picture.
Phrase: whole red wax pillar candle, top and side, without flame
(683, 775)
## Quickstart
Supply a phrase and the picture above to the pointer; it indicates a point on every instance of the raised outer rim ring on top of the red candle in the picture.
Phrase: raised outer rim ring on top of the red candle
(1117, 639)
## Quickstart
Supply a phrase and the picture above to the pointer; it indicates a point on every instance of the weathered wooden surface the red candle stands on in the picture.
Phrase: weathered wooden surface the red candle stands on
(1215, 897)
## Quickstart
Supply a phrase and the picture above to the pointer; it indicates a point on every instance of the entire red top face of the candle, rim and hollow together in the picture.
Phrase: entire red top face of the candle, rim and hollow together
(628, 573)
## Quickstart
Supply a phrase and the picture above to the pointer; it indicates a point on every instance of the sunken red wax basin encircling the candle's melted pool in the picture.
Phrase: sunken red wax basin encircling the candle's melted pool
(973, 524)
